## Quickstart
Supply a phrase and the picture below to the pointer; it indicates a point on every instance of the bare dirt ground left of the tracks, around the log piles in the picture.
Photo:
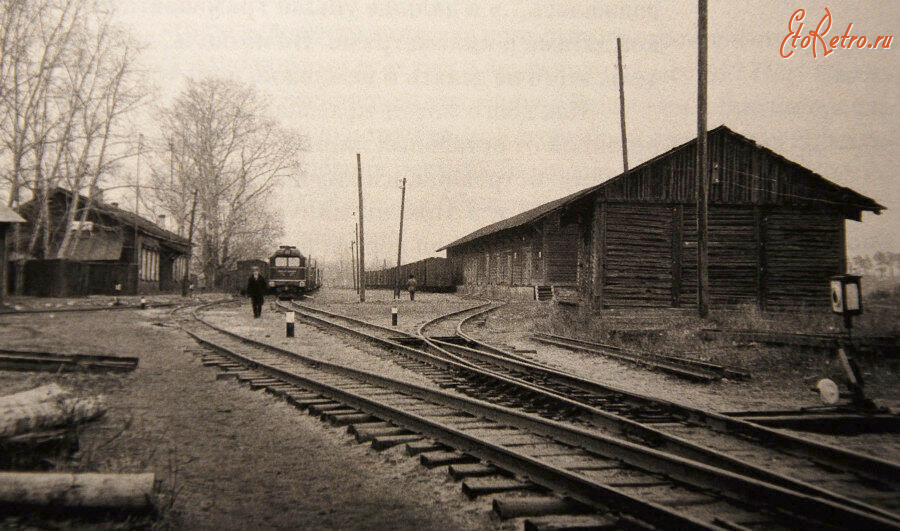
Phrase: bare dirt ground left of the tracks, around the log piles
(228, 457)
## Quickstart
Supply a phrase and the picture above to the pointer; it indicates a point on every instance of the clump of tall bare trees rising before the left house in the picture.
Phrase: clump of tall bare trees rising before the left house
(66, 80)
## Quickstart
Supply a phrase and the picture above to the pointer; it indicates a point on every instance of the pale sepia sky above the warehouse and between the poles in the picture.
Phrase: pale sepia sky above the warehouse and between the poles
(489, 108)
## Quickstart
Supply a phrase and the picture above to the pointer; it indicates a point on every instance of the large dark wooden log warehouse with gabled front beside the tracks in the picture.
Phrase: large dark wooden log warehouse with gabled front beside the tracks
(776, 234)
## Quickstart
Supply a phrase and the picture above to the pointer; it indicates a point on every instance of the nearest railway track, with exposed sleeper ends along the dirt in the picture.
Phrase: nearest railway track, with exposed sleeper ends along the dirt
(610, 475)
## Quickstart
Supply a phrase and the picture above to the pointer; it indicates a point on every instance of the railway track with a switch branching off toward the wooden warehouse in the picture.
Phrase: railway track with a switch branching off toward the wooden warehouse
(495, 375)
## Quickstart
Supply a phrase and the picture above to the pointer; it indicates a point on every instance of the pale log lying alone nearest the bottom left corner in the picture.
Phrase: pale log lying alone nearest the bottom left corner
(89, 492)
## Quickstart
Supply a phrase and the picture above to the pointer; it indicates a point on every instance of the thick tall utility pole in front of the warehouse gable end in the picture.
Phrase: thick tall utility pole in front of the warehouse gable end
(702, 176)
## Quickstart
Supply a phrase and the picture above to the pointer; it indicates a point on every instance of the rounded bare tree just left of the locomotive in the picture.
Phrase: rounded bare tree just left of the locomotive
(218, 140)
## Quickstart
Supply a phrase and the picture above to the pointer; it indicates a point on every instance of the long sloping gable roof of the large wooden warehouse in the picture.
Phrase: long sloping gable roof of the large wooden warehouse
(529, 216)
